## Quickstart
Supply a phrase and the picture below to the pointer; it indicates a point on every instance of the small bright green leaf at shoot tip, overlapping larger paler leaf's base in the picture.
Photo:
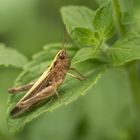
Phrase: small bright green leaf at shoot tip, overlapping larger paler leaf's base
(85, 37)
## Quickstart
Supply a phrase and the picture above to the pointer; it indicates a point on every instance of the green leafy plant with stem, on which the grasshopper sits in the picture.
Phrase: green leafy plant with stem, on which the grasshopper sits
(106, 42)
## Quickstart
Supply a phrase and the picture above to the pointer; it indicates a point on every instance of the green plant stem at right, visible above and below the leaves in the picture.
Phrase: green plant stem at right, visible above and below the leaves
(132, 68)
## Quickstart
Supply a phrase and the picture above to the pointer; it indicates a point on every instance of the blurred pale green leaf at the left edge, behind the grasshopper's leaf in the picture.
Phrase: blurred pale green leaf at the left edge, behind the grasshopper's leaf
(11, 57)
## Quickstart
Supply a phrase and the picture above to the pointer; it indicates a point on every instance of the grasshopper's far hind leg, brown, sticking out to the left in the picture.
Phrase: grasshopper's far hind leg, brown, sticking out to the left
(21, 88)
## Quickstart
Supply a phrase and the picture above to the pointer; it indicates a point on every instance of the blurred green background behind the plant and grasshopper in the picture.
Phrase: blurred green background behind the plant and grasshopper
(106, 113)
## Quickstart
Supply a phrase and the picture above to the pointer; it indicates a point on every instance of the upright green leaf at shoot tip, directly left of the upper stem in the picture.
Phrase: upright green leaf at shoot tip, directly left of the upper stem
(103, 21)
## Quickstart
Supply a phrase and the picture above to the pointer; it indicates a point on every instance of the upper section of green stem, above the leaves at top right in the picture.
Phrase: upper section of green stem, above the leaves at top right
(118, 17)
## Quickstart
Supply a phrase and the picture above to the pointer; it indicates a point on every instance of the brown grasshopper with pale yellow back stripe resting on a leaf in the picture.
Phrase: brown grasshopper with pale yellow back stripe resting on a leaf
(46, 86)
